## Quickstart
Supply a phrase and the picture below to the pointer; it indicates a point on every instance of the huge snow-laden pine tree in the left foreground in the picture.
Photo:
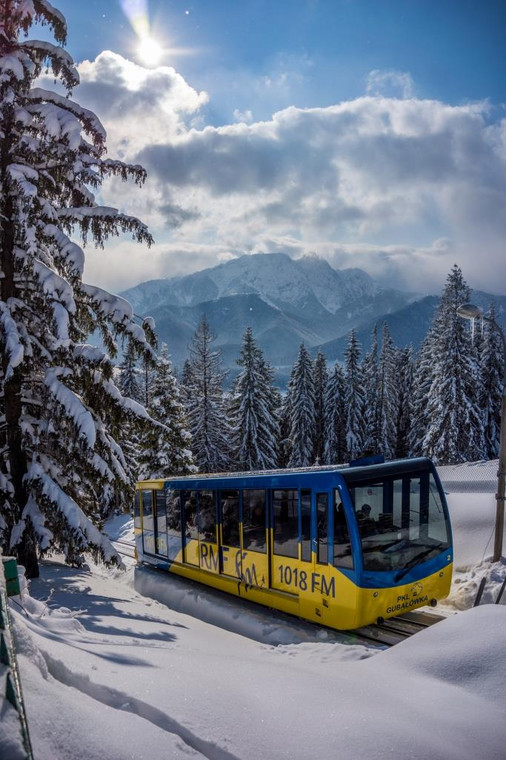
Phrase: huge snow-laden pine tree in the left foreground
(61, 411)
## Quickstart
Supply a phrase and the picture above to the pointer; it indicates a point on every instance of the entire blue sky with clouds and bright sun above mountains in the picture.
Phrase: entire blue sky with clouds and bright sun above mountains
(372, 134)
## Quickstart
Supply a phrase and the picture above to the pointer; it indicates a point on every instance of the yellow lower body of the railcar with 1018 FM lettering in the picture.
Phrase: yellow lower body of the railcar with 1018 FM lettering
(316, 592)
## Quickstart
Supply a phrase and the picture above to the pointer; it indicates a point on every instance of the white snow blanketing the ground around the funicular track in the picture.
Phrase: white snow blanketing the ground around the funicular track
(110, 674)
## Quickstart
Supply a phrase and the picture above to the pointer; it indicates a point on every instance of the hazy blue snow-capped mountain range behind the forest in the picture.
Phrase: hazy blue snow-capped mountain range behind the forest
(286, 302)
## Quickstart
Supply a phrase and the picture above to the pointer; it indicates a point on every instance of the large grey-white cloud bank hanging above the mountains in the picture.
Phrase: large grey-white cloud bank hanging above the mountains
(376, 182)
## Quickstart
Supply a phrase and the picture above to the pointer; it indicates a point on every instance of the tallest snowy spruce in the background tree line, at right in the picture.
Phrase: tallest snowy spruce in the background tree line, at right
(455, 432)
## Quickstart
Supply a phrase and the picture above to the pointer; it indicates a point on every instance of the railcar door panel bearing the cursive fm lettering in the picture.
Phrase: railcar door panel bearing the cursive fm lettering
(254, 557)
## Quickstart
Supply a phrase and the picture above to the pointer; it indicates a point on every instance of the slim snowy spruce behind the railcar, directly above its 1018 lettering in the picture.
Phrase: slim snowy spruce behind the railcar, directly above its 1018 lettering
(302, 410)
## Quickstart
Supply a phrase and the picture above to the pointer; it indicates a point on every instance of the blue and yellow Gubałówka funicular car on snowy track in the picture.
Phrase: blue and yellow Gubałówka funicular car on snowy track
(341, 546)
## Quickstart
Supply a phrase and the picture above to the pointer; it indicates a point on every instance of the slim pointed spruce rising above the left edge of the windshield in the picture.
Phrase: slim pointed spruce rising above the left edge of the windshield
(354, 398)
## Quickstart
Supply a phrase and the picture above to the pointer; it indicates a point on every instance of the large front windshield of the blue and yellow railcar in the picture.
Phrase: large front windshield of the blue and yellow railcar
(401, 522)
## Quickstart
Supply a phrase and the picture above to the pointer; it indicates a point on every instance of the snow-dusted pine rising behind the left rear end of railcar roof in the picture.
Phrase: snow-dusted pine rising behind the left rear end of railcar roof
(165, 449)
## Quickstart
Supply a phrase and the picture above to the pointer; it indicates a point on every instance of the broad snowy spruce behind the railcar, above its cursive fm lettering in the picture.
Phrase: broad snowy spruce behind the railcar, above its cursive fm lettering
(253, 416)
